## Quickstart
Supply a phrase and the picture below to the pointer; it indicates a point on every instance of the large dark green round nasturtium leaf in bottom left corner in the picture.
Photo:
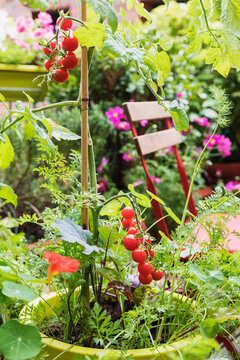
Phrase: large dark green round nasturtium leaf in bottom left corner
(18, 341)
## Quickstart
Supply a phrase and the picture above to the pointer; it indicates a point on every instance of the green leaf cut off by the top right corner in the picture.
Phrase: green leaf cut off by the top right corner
(230, 15)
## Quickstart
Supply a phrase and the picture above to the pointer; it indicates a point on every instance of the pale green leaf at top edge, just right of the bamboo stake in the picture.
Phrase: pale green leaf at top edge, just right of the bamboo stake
(104, 8)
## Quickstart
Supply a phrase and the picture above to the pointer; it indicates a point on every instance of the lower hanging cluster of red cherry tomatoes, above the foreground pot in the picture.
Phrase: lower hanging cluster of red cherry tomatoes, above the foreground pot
(140, 247)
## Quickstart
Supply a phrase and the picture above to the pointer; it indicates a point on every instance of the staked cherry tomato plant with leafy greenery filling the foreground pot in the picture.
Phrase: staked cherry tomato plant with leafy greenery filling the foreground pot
(109, 253)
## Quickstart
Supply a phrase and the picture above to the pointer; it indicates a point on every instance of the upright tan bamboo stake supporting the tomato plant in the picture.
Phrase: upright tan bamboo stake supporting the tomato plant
(84, 111)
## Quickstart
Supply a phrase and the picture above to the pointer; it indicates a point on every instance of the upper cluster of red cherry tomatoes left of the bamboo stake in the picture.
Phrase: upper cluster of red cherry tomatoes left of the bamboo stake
(68, 59)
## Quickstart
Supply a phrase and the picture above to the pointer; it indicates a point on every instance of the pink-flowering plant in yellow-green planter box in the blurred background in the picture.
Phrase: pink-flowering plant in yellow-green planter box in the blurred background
(20, 55)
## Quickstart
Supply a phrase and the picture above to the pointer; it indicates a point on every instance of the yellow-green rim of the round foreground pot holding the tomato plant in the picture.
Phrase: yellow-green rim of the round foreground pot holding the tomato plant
(62, 347)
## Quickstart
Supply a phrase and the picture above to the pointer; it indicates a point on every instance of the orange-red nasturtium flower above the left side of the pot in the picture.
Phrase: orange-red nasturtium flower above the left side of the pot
(59, 264)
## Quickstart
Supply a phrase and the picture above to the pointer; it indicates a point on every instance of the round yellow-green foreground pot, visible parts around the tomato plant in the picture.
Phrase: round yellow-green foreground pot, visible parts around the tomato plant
(71, 352)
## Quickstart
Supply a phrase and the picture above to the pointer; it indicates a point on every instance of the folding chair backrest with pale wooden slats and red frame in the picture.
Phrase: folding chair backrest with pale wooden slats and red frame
(152, 142)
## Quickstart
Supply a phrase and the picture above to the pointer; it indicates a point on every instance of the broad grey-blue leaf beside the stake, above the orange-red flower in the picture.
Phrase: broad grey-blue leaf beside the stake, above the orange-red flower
(72, 233)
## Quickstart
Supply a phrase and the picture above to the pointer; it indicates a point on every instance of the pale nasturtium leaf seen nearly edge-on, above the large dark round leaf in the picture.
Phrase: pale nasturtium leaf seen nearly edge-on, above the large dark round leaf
(17, 291)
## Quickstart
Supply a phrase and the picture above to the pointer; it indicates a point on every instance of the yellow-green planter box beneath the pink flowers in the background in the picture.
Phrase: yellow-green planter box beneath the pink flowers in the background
(14, 79)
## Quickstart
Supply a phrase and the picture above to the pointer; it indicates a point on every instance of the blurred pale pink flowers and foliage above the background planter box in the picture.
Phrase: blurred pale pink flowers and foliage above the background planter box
(24, 34)
